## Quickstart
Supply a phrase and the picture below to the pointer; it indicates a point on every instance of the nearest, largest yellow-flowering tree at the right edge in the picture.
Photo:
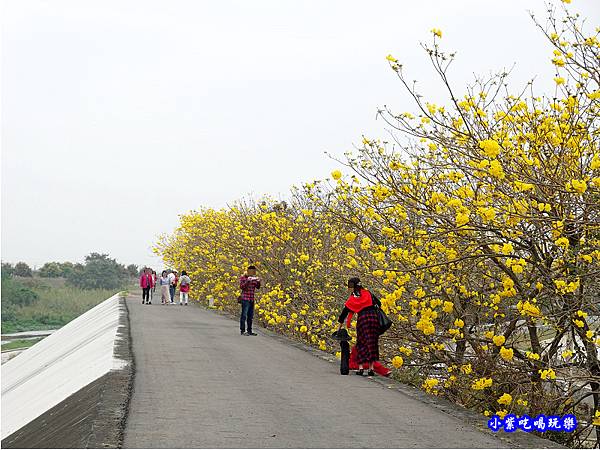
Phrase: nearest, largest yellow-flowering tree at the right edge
(484, 221)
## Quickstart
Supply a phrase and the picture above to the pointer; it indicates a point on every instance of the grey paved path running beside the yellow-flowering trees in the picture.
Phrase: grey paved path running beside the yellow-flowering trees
(198, 383)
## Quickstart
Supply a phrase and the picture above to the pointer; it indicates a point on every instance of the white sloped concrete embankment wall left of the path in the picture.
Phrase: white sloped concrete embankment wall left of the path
(60, 365)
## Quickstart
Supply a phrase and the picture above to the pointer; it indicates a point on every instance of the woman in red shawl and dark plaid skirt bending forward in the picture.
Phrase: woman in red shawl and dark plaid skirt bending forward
(363, 303)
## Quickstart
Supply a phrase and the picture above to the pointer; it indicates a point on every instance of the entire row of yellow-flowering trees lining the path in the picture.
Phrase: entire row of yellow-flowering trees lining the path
(478, 226)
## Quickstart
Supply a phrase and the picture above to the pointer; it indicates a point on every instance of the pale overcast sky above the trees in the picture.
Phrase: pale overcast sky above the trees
(117, 116)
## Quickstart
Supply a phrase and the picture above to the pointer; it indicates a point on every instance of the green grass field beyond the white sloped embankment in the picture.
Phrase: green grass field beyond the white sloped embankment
(57, 304)
